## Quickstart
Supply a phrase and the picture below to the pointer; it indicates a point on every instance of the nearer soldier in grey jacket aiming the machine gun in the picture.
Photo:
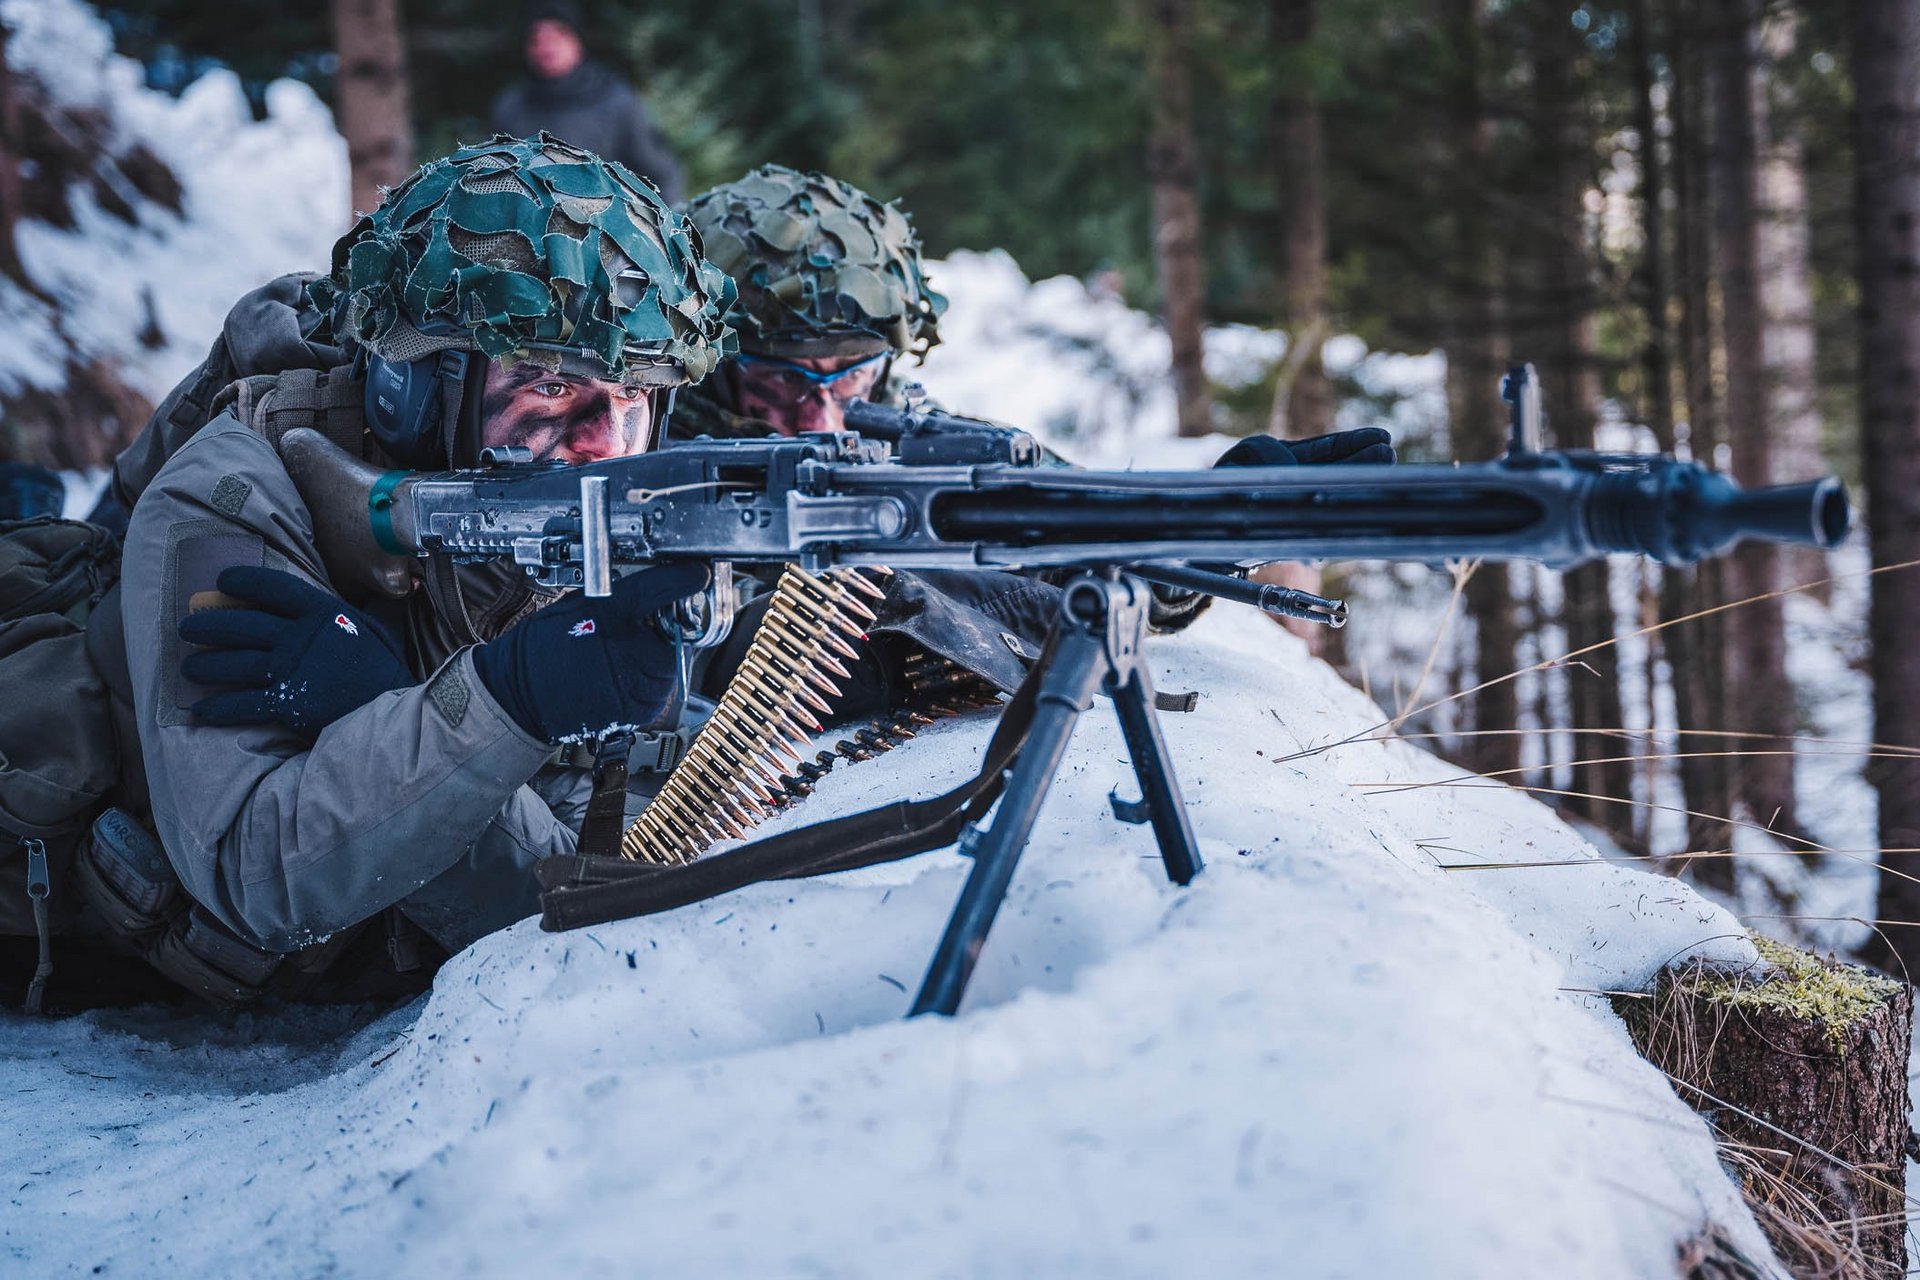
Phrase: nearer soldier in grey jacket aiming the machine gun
(348, 786)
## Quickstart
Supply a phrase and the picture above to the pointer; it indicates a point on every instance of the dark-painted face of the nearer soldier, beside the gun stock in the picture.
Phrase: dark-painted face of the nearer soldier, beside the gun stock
(565, 417)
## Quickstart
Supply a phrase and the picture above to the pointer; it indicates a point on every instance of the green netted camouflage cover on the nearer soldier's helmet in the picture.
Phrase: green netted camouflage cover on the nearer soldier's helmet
(533, 250)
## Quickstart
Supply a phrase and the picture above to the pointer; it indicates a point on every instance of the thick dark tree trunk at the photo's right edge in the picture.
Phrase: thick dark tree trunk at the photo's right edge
(1886, 154)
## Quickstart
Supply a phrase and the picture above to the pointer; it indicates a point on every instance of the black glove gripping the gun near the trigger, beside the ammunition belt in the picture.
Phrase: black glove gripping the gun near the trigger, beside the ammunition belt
(581, 667)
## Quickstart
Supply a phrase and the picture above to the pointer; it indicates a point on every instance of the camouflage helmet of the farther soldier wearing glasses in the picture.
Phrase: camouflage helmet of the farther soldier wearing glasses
(823, 268)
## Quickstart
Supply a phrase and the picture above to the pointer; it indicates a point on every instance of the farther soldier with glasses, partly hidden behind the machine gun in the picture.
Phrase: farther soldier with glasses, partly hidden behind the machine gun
(832, 302)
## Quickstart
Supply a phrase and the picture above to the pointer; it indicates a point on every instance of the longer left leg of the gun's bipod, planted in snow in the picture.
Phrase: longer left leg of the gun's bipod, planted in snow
(1076, 671)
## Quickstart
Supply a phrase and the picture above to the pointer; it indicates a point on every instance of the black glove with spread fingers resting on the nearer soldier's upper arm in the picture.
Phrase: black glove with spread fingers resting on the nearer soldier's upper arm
(299, 657)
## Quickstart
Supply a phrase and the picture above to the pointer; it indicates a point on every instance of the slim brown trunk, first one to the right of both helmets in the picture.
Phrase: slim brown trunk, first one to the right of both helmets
(1176, 174)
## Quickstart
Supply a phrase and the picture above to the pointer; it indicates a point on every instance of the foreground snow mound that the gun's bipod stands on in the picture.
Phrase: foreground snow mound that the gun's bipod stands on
(1326, 1058)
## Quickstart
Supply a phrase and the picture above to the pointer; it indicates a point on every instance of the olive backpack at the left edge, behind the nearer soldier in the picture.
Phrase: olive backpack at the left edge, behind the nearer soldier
(59, 749)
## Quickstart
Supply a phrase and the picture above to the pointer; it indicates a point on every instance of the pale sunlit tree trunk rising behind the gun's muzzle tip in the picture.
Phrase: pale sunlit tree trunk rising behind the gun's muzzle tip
(1787, 281)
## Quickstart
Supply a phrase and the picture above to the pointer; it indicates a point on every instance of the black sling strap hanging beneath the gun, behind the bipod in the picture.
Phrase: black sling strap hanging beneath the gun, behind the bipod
(590, 889)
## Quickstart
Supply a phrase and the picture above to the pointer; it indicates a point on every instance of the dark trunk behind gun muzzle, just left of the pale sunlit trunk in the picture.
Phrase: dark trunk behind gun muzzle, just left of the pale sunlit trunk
(1708, 780)
